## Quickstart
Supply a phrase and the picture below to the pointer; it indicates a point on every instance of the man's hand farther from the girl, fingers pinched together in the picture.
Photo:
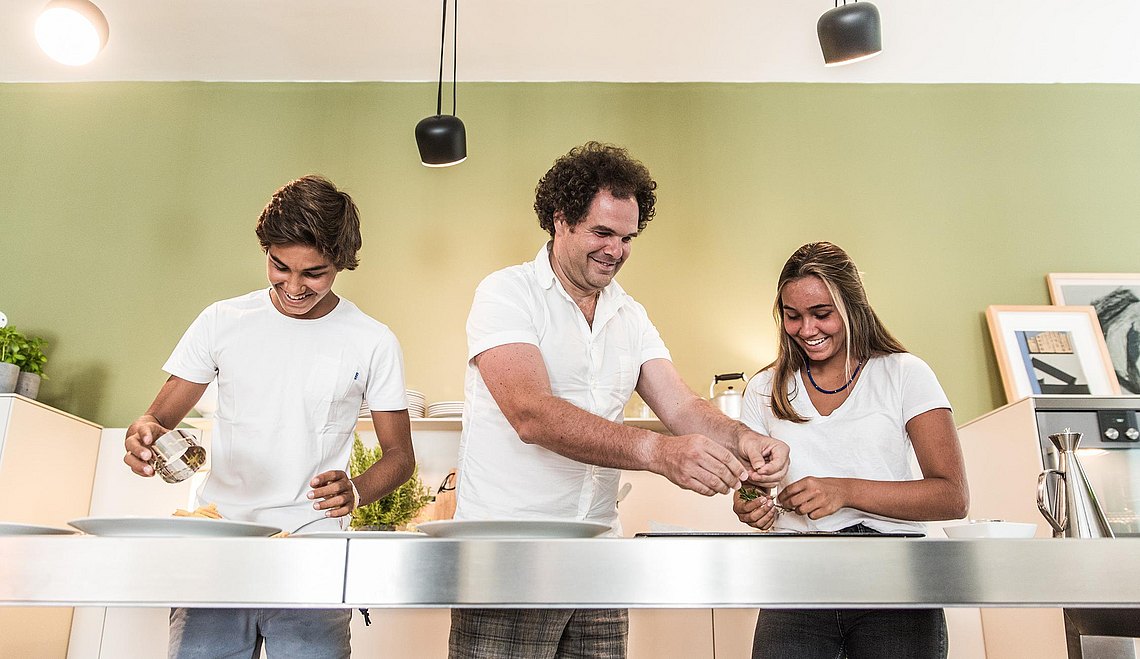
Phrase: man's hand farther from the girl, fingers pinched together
(697, 463)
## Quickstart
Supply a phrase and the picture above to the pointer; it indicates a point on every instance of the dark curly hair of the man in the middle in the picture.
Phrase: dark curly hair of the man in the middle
(573, 183)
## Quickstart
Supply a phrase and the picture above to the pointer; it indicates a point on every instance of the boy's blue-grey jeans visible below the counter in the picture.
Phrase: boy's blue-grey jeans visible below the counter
(240, 633)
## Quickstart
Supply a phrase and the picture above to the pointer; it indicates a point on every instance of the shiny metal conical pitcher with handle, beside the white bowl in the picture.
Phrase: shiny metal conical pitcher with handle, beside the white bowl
(1074, 512)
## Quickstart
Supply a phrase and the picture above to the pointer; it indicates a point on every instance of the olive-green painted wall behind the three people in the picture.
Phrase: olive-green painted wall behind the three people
(126, 208)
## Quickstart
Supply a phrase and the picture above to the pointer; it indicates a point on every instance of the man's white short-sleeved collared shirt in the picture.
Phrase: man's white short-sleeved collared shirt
(596, 369)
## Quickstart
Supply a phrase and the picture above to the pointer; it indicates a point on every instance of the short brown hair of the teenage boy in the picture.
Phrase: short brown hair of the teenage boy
(312, 211)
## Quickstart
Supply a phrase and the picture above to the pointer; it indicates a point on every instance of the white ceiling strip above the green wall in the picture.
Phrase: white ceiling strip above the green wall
(589, 40)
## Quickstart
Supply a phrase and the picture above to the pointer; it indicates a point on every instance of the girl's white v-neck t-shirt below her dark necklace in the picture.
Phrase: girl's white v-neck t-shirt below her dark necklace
(865, 438)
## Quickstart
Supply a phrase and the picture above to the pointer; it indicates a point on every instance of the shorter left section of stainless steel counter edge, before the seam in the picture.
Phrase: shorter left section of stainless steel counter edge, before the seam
(80, 571)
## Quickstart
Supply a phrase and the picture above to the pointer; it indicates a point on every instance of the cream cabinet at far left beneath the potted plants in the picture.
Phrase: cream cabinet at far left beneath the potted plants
(47, 467)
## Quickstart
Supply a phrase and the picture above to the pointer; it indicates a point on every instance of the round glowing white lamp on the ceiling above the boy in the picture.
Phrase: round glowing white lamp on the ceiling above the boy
(72, 32)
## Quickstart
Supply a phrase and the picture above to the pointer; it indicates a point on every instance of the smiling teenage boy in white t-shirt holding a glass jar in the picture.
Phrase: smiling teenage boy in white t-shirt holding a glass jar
(294, 363)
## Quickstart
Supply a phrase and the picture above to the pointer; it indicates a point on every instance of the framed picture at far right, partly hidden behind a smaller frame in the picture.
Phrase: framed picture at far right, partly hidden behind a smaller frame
(1117, 302)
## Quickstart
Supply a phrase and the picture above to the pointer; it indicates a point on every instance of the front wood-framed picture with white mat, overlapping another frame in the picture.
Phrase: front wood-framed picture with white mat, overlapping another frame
(1051, 351)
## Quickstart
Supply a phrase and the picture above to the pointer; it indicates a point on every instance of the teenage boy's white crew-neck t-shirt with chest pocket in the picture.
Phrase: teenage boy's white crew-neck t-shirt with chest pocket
(289, 396)
